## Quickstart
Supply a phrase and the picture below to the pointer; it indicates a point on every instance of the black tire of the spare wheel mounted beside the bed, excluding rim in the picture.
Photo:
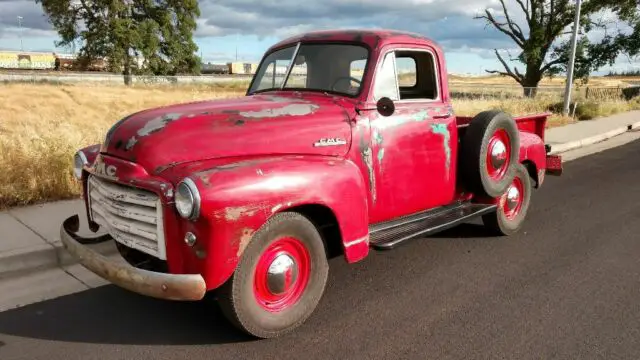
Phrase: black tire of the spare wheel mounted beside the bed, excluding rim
(475, 147)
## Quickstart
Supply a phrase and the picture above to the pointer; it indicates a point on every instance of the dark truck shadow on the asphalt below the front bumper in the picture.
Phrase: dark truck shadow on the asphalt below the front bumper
(110, 315)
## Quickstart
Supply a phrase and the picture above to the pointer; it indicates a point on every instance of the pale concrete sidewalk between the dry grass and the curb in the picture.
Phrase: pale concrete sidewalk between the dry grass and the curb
(30, 240)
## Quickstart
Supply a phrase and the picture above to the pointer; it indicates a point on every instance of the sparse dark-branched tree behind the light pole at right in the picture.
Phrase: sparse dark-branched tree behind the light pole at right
(544, 22)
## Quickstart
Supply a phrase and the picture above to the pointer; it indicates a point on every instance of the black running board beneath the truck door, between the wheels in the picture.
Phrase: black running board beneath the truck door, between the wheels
(388, 235)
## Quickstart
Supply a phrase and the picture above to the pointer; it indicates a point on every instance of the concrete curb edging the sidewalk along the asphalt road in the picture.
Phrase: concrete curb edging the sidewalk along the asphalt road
(48, 256)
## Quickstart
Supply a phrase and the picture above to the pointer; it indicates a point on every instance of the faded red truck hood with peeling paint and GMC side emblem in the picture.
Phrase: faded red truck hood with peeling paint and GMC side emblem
(244, 127)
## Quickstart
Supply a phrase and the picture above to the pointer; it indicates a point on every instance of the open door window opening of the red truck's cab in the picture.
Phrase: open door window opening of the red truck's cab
(417, 75)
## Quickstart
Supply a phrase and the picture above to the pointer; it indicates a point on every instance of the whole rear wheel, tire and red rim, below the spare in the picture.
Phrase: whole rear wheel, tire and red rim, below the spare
(513, 205)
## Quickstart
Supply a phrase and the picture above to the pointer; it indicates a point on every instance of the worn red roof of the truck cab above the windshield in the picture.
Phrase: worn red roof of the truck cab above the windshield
(372, 37)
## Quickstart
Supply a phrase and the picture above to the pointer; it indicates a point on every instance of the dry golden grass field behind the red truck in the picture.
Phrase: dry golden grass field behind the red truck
(42, 126)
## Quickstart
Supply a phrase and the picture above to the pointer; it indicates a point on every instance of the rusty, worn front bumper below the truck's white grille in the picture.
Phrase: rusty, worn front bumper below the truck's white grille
(154, 284)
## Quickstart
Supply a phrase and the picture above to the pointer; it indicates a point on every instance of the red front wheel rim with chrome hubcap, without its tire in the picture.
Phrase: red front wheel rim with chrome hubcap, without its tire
(282, 274)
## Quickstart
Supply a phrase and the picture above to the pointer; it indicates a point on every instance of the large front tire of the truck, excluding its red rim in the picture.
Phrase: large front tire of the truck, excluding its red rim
(236, 296)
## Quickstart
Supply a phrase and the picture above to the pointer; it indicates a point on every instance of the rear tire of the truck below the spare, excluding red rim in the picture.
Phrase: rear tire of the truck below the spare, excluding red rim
(498, 221)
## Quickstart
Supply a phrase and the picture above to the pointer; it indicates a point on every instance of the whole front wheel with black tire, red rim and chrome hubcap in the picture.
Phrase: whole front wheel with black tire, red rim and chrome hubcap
(279, 280)
